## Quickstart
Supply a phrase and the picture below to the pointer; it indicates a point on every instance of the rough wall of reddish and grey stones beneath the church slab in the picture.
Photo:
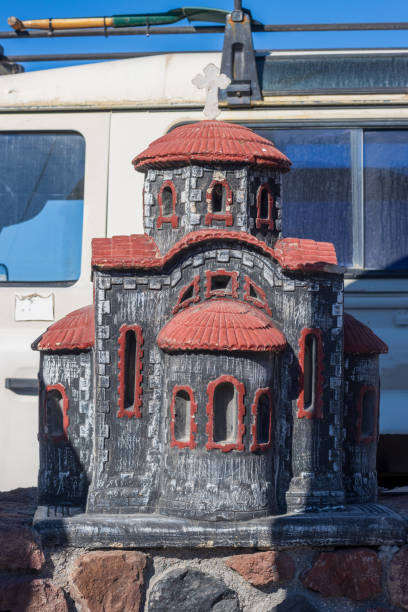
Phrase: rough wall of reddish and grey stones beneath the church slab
(111, 577)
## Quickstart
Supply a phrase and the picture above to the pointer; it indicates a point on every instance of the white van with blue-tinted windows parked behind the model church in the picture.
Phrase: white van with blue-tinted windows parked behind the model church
(67, 137)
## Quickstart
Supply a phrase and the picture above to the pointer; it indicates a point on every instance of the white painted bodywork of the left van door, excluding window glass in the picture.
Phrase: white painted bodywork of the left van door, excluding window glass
(19, 412)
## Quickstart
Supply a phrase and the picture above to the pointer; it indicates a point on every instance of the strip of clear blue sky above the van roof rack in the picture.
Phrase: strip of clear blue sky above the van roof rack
(267, 11)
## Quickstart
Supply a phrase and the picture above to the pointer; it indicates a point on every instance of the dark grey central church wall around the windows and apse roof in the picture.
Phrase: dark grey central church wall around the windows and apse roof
(130, 472)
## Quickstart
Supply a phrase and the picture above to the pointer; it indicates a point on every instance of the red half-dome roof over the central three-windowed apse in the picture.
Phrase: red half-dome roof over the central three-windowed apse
(221, 325)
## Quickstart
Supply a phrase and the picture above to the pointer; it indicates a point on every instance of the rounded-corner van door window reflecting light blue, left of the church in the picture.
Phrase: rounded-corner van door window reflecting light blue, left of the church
(41, 206)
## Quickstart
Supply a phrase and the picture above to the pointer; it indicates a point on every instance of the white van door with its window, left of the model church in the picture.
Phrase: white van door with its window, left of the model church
(53, 190)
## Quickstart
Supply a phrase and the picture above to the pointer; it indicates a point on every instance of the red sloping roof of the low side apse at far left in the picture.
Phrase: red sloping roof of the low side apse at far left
(76, 331)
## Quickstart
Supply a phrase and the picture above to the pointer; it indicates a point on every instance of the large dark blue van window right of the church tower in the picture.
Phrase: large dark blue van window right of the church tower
(348, 186)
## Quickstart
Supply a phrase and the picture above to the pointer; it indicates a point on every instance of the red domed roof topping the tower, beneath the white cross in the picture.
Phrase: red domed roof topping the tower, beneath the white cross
(211, 142)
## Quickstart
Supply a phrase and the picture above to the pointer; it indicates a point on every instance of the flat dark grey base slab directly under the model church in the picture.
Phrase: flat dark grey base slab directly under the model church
(357, 525)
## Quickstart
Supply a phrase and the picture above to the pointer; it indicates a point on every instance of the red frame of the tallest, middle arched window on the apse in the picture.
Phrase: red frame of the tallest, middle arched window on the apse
(240, 387)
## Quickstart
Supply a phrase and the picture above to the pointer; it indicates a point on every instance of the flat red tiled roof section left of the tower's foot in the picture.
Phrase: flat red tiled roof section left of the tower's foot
(135, 251)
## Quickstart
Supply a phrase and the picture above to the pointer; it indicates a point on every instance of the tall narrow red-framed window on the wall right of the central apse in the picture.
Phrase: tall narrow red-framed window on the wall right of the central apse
(310, 402)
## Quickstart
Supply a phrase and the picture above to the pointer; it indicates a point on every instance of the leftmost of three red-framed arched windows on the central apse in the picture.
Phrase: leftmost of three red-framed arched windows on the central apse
(182, 423)
